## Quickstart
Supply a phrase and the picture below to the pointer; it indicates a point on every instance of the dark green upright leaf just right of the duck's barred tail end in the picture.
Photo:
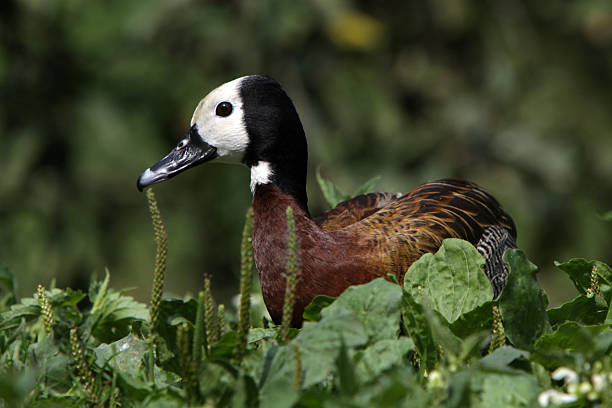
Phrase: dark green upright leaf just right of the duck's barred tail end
(522, 302)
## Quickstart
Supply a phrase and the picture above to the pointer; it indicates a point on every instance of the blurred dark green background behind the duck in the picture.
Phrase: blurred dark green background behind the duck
(514, 95)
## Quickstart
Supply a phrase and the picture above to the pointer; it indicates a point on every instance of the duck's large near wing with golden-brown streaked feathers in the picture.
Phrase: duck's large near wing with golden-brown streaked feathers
(417, 223)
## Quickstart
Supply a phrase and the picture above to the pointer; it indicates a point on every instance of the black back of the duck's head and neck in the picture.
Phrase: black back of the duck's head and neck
(276, 135)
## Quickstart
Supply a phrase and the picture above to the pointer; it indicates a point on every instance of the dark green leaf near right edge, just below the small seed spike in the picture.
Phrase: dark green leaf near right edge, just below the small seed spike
(582, 309)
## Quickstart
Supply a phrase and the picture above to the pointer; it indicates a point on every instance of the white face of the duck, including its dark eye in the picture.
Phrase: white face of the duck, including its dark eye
(219, 120)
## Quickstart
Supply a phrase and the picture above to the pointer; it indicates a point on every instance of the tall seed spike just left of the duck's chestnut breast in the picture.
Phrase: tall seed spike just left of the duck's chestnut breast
(246, 283)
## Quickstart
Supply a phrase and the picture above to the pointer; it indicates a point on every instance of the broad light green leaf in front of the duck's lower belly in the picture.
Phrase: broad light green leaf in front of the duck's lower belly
(375, 304)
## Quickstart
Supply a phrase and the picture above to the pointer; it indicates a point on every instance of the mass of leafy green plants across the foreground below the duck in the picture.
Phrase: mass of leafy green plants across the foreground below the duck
(377, 344)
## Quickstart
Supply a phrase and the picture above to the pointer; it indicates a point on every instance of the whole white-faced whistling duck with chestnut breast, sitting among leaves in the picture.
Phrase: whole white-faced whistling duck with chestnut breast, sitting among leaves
(252, 119)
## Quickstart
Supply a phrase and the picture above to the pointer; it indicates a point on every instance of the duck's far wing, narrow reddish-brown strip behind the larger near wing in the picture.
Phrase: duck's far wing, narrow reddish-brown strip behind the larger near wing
(356, 209)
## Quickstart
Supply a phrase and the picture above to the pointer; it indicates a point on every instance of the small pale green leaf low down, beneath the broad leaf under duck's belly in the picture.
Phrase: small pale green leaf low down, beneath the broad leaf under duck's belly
(383, 355)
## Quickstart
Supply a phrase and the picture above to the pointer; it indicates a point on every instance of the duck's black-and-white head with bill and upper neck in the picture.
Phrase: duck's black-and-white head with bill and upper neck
(251, 120)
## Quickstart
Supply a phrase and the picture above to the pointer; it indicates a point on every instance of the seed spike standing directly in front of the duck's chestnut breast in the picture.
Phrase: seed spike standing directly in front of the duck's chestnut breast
(291, 278)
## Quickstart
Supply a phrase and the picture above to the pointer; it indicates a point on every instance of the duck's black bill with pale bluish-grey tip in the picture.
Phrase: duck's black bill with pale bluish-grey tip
(190, 152)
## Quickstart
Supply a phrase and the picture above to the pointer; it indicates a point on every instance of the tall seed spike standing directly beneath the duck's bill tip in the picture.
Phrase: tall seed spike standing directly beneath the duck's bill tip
(161, 241)
